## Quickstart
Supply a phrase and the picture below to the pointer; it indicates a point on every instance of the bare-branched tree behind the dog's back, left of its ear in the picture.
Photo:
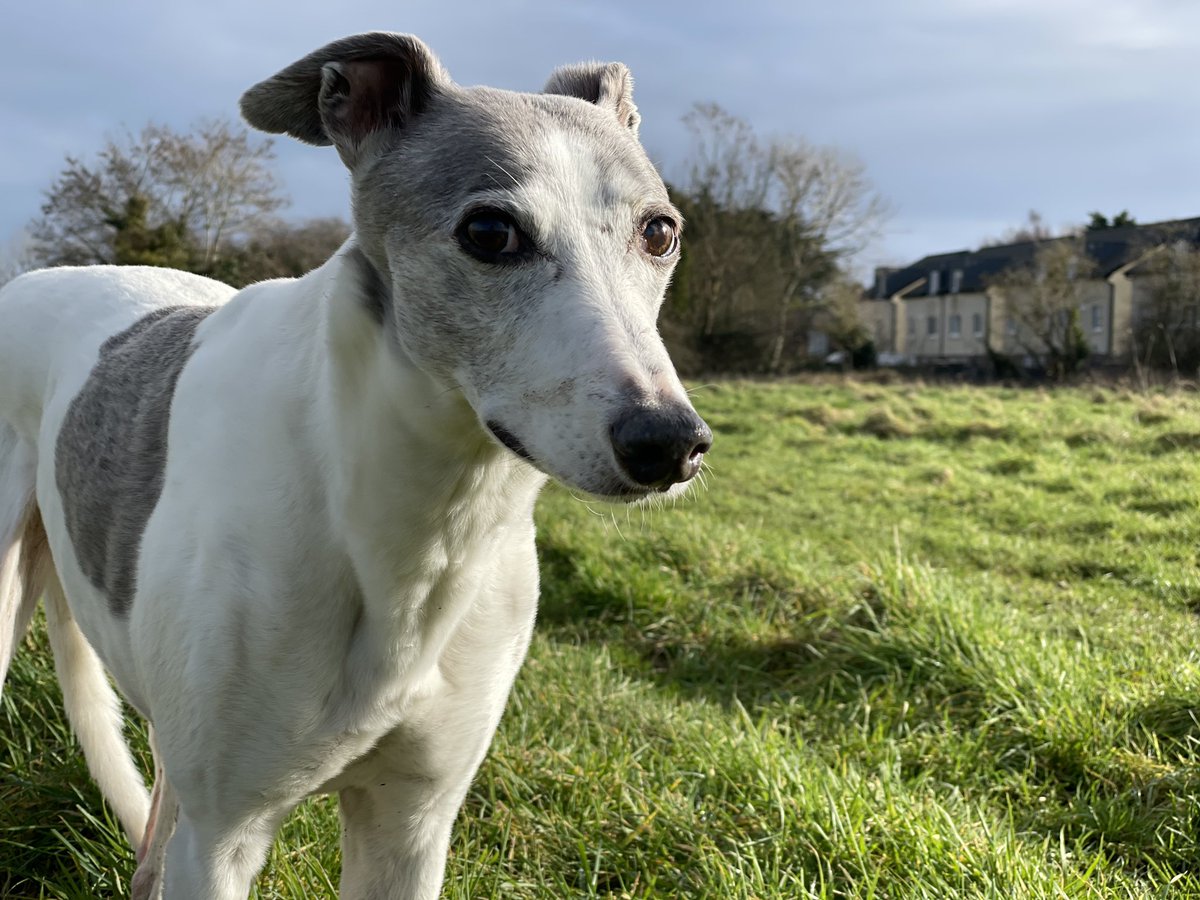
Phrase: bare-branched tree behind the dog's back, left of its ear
(160, 199)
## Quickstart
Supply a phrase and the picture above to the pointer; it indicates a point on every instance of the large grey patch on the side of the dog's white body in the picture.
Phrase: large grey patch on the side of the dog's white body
(112, 448)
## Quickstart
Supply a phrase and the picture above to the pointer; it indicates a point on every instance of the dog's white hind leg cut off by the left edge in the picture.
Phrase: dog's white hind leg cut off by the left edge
(25, 555)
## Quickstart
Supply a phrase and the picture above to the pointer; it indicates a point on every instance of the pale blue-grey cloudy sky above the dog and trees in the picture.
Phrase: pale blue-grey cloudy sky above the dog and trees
(967, 113)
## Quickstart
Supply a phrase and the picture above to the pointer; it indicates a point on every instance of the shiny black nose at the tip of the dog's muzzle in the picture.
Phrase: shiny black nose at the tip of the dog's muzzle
(659, 447)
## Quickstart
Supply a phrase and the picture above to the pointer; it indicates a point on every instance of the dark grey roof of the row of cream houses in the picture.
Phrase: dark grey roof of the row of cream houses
(1109, 248)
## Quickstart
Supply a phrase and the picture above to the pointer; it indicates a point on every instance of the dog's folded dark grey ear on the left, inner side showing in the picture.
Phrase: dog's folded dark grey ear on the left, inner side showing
(347, 91)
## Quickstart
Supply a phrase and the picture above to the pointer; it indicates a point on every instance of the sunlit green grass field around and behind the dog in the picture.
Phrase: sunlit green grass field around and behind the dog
(908, 643)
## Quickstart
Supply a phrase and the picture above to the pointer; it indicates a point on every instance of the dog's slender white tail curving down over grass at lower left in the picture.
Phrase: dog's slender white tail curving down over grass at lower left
(95, 716)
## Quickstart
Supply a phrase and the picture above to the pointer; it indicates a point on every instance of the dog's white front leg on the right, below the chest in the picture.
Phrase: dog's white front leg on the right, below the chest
(397, 836)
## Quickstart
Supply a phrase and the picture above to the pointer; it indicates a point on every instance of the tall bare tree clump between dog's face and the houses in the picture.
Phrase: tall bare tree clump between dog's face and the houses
(769, 224)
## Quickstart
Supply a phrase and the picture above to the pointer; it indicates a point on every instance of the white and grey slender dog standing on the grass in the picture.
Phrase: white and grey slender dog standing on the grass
(295, 523)
